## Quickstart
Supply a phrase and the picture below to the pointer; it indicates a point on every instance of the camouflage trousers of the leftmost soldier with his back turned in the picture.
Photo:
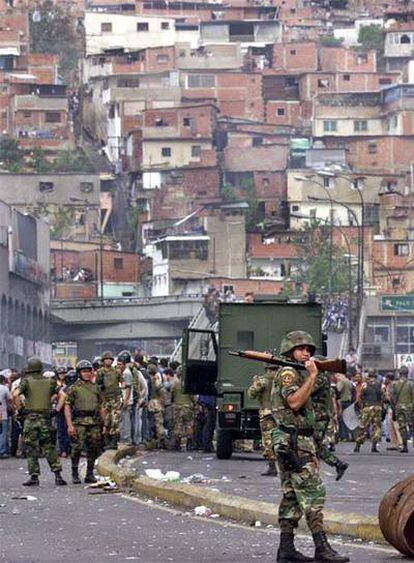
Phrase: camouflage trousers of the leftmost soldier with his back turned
(38, 438)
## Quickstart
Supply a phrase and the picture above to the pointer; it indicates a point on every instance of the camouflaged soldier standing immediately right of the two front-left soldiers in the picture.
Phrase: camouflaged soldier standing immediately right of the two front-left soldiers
(108, 380)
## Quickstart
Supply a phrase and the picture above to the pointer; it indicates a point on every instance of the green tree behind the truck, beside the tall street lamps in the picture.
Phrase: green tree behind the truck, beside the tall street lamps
(314, 269)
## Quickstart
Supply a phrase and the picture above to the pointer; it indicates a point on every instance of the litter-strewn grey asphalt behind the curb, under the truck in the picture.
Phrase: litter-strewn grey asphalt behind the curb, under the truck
(360, 490)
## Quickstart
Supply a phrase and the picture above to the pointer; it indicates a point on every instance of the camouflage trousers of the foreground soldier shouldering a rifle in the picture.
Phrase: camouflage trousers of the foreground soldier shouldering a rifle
(303, 494)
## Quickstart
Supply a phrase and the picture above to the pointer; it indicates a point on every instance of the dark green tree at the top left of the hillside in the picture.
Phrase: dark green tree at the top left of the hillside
(52, 31)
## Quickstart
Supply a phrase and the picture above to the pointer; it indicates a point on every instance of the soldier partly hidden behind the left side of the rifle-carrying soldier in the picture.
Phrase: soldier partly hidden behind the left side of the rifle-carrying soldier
(261, 389)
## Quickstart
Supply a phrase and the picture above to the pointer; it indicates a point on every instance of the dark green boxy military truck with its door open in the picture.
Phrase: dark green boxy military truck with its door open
(208, 369)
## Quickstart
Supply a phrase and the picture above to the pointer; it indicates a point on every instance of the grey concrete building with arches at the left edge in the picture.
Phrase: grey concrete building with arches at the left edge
(24, 288)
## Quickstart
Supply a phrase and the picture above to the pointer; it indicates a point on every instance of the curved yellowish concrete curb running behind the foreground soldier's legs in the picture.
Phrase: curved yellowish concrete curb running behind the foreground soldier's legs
(230, 506)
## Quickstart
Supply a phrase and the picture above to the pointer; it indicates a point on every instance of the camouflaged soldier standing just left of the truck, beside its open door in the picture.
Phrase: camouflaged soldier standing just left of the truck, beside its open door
(183, 415)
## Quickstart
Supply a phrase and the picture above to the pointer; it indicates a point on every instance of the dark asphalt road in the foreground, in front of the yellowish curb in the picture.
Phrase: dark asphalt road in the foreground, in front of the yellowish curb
(70, 524)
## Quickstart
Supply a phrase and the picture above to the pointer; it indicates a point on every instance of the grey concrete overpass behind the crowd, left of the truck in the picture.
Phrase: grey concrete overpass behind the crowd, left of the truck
(87, 321)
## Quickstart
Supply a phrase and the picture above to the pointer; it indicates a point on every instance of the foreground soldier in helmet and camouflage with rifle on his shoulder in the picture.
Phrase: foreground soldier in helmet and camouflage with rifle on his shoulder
(295, 448)
